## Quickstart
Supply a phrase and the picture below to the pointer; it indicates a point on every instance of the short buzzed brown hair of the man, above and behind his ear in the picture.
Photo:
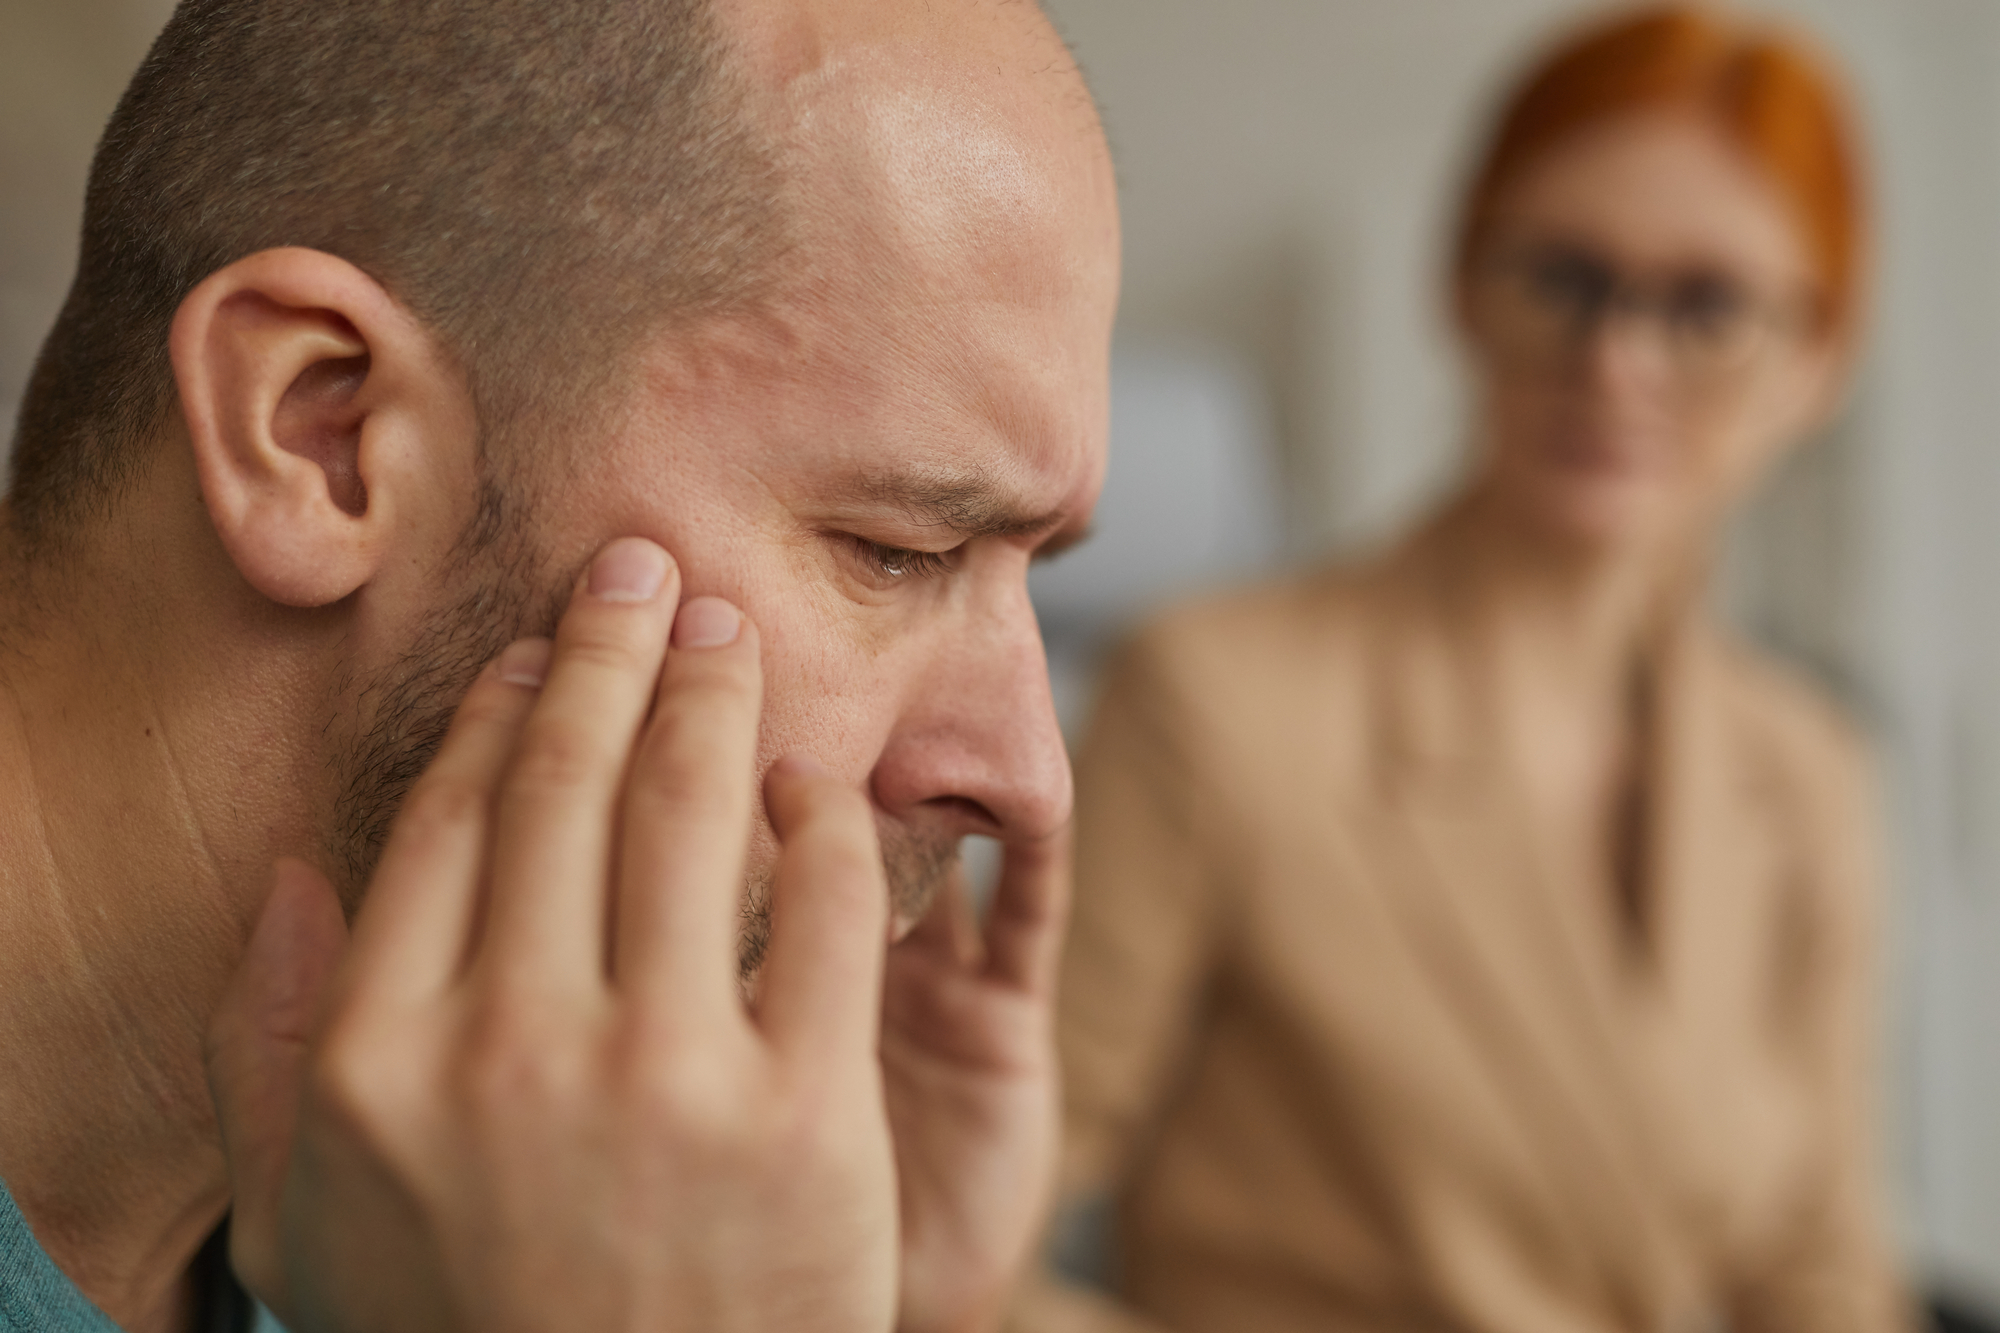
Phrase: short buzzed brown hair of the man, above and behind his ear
(537, 181)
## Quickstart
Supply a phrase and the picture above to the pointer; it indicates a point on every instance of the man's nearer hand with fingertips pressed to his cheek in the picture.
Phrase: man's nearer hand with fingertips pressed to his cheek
(531, 1096)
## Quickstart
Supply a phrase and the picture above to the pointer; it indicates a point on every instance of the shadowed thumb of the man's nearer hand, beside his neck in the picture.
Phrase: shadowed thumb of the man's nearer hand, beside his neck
(257, 1058)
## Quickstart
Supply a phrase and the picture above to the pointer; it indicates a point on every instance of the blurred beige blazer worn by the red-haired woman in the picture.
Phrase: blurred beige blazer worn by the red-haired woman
(1353, 1052)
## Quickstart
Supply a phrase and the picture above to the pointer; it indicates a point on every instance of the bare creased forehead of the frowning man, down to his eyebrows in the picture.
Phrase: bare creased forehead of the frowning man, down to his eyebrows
(939, 343)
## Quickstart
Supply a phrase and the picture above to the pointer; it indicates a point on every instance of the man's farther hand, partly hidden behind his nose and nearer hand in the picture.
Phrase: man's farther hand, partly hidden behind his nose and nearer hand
(973, 1090)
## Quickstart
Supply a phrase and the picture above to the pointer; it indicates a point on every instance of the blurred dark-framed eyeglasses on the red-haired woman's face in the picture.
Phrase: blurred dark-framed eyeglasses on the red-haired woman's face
(1549, 303)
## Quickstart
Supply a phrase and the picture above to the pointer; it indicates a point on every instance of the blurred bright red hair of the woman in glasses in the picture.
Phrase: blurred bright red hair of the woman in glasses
(1767, 91)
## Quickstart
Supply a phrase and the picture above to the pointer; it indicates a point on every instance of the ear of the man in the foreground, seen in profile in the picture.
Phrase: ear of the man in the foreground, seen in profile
(315, 407)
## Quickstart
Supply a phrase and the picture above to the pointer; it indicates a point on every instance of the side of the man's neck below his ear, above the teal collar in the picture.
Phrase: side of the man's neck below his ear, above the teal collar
(117, 934)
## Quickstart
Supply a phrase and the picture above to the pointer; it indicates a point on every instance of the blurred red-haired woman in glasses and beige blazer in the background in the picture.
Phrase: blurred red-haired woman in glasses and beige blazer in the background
(1481, 940)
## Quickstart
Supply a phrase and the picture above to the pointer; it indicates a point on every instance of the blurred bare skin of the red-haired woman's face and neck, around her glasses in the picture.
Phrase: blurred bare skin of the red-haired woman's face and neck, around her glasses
(1603, 479)
